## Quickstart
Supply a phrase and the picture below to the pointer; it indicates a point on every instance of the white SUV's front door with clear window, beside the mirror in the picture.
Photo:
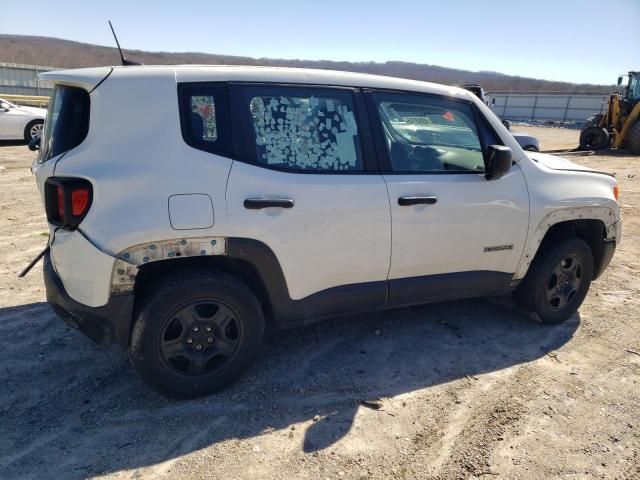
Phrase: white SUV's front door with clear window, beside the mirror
(454, 233)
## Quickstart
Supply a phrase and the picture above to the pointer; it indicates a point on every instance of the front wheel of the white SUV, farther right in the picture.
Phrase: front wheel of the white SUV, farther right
(544, 293)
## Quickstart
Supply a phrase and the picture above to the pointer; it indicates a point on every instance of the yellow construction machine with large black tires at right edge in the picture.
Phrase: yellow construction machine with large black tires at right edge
(619, 126)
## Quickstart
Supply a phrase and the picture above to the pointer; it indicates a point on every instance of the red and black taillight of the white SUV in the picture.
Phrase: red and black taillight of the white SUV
(67, 201)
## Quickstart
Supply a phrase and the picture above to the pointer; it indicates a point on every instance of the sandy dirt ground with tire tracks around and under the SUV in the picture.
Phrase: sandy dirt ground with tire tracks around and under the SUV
(469, 389)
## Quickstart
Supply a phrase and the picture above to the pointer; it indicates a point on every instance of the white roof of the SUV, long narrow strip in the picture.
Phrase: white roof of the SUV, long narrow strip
(242, 73)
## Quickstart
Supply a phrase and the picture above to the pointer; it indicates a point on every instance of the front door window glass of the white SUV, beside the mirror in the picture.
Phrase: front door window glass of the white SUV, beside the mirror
(430, 134)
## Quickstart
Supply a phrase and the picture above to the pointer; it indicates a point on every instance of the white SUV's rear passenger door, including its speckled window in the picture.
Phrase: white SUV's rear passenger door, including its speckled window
(304, 185)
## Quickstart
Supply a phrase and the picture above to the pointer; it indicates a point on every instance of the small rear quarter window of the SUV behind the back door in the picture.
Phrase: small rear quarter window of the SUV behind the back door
(204, 117)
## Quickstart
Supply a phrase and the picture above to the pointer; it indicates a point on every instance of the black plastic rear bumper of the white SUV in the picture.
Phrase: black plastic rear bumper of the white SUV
(104, 325)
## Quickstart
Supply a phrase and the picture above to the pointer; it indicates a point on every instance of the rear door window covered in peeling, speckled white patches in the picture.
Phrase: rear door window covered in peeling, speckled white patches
(303, 129)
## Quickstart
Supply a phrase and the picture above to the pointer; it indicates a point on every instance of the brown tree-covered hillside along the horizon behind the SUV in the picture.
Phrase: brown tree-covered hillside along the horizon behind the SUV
(68, 54)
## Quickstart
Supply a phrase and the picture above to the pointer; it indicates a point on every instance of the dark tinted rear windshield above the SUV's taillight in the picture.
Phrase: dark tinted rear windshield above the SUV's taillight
(67, 122)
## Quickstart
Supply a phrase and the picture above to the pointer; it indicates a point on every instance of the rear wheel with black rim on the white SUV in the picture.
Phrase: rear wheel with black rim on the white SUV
(196, 333)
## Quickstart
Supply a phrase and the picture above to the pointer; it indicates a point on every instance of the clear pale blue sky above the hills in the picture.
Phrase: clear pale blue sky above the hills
(581, 41)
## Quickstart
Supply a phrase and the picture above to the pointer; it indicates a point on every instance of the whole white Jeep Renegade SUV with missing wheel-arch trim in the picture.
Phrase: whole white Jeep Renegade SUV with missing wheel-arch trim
(190, 206)
